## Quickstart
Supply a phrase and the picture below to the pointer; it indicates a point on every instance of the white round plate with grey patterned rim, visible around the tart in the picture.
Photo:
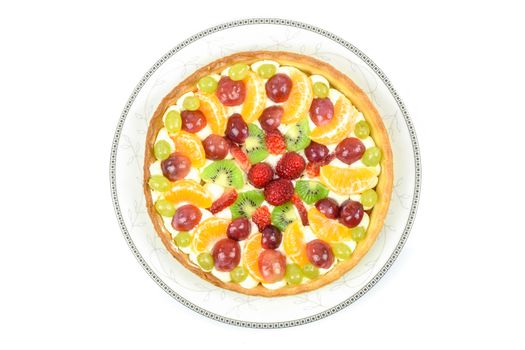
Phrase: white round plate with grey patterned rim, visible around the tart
(128, 152)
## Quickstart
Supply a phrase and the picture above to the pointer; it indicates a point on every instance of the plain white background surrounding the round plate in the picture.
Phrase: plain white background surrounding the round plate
(68, 279)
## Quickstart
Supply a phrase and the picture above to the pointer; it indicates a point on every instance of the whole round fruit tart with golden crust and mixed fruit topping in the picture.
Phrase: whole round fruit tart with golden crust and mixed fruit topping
(267, 173)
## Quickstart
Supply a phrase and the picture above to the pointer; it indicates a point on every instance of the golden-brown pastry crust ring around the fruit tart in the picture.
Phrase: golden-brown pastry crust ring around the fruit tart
(338, 80)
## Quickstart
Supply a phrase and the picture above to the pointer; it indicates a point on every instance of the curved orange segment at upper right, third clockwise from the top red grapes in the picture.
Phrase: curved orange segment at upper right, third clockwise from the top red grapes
(340, 126)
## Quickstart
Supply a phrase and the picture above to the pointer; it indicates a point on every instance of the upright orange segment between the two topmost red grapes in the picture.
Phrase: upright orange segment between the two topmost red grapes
(255, 100)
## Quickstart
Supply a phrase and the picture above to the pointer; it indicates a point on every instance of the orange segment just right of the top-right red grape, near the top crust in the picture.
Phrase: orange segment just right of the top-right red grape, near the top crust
(300, 98)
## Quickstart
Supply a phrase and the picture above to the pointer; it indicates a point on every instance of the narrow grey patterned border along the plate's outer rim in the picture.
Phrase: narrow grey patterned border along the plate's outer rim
(341, 305)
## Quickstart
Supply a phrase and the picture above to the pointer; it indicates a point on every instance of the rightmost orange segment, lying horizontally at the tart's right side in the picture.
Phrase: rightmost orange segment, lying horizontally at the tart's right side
(347, 181)
